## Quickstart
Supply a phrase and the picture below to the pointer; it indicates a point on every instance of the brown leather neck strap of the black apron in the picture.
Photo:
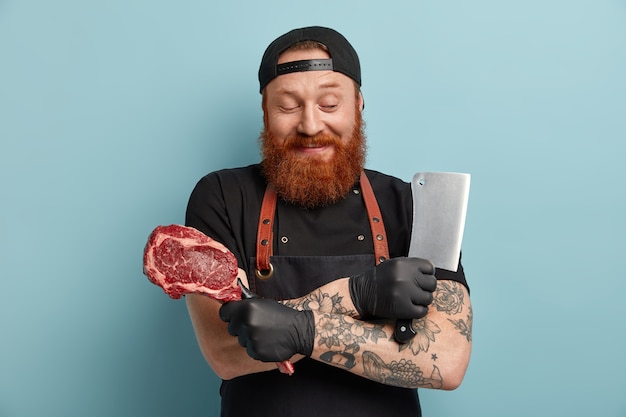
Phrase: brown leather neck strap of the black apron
(264, 268)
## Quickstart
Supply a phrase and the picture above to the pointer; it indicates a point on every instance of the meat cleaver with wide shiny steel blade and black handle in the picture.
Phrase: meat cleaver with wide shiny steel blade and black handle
(439, 209)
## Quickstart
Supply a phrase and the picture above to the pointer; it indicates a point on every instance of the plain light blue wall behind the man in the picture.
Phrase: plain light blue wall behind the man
(111, 111)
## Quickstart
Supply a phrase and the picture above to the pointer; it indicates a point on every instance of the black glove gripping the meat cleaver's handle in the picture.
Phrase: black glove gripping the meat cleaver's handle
(397, 288)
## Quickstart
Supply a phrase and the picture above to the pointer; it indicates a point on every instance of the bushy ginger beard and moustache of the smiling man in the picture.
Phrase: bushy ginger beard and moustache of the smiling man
(308, 181)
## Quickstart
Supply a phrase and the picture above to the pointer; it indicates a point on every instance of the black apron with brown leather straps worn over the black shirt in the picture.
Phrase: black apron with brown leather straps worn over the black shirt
(316, 389)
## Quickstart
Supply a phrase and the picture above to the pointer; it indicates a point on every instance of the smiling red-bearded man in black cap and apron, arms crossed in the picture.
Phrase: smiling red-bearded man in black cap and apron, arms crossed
(327, 256)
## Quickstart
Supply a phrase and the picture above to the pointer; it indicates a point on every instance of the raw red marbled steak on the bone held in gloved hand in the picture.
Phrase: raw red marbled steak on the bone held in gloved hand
(182, 260)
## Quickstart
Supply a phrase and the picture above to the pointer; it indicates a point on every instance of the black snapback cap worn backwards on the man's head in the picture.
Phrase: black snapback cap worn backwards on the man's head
(343, 57)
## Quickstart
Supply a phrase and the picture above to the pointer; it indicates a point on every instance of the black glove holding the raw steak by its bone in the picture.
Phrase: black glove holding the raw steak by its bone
(270, 331)
